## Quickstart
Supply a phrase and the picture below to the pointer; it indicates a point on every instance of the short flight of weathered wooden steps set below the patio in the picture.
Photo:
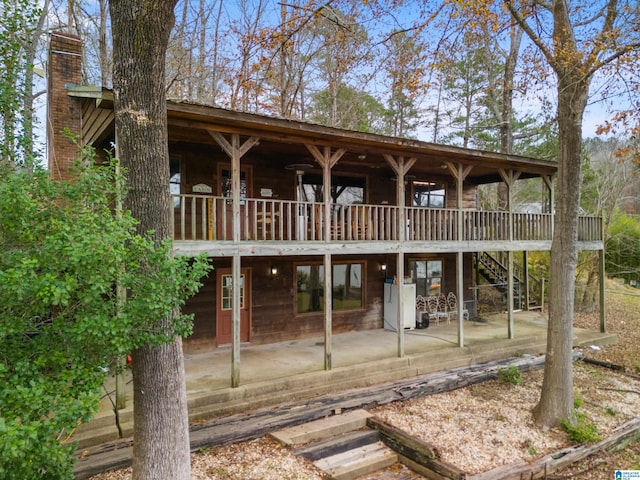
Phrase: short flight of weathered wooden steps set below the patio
(341, 445)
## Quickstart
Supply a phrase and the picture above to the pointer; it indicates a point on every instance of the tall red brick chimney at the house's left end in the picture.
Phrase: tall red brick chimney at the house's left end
(63, 111)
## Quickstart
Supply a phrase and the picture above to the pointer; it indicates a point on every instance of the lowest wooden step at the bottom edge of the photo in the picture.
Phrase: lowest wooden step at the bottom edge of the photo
(358, 461)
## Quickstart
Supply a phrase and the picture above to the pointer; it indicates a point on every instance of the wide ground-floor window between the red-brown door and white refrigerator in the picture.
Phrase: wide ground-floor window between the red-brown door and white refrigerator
(346, 290)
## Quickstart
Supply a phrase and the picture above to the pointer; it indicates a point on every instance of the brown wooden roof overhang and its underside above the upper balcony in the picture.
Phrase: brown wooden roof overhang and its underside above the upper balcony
(282, 142)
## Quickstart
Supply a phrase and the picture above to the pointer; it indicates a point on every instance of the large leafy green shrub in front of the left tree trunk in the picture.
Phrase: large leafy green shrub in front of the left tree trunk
(64, 250)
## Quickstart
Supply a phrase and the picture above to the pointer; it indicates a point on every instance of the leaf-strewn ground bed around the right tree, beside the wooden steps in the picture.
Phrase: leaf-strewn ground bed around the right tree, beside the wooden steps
(490, 424)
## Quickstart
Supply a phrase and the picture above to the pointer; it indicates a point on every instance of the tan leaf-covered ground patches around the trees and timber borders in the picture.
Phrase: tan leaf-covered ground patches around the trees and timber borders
(482, 426)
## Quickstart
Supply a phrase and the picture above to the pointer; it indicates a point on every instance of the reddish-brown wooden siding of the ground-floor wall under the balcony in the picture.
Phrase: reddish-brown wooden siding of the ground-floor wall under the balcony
(274, 317)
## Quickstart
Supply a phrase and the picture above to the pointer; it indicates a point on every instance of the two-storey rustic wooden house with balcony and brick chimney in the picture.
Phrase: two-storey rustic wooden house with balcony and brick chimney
(309, 227)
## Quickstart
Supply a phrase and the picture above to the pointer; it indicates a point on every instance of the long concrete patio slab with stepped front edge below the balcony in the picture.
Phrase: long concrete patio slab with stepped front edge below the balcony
(284, 372)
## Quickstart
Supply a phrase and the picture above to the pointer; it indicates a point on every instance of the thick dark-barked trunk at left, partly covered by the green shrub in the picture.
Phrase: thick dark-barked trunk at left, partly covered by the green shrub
(140, 36)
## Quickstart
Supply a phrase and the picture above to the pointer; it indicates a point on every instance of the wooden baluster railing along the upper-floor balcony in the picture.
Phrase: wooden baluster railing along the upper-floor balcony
(200, 217)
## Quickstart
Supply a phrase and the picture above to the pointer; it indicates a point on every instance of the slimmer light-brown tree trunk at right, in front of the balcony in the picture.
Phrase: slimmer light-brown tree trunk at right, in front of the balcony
(556, 399)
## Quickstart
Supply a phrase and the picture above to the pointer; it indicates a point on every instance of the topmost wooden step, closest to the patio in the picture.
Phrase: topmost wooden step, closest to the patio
(322, 429)
